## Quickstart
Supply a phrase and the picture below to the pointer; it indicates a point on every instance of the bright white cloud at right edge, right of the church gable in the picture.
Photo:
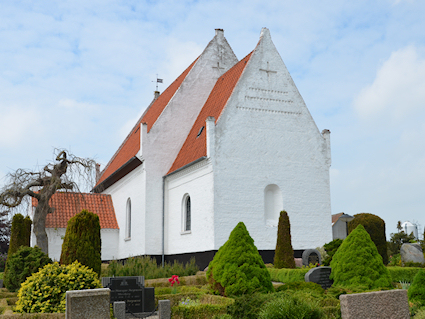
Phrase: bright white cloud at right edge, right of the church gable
(398, 89)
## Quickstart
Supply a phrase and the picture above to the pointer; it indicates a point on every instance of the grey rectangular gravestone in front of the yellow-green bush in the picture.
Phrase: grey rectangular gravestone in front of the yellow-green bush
(87, 303)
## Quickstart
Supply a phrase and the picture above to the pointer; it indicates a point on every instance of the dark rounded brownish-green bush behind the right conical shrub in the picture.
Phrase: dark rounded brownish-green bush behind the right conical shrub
(375, 226)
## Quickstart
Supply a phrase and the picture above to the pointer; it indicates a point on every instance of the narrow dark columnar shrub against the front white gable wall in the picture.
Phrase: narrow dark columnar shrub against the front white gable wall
(284, 254)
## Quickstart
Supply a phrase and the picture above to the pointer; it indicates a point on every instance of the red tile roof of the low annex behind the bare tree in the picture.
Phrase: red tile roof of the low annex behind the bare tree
(69, 204)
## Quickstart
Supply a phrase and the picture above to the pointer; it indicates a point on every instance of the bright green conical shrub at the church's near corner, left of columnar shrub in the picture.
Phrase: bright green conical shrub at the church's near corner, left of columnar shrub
(237, 267)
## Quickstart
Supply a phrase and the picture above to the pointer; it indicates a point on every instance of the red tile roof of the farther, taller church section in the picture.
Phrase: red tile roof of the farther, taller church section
(131, 144)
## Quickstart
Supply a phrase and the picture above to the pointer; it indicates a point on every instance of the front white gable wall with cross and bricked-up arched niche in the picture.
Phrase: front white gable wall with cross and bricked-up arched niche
(267, 136)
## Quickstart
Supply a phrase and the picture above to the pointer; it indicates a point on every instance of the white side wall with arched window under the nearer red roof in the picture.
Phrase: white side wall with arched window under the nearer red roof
(197, 182)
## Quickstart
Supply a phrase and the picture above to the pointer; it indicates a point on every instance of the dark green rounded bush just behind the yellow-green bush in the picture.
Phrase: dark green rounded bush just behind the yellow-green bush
(22, 264)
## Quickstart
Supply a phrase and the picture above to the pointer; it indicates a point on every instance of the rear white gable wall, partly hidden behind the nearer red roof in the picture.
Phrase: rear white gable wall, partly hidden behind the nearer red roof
(163, 142)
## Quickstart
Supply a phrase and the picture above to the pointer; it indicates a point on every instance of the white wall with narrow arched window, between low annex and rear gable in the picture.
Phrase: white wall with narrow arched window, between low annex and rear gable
(131, 186)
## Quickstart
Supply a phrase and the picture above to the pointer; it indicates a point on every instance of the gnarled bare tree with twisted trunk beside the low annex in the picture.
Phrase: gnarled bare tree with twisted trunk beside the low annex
(42, 185)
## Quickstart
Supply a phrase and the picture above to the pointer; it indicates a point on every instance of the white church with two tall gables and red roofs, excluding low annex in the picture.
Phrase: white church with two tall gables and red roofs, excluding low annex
(227, 141)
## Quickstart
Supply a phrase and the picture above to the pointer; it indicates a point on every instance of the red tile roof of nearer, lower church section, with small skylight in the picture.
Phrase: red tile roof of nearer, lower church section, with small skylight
(196, 146)
